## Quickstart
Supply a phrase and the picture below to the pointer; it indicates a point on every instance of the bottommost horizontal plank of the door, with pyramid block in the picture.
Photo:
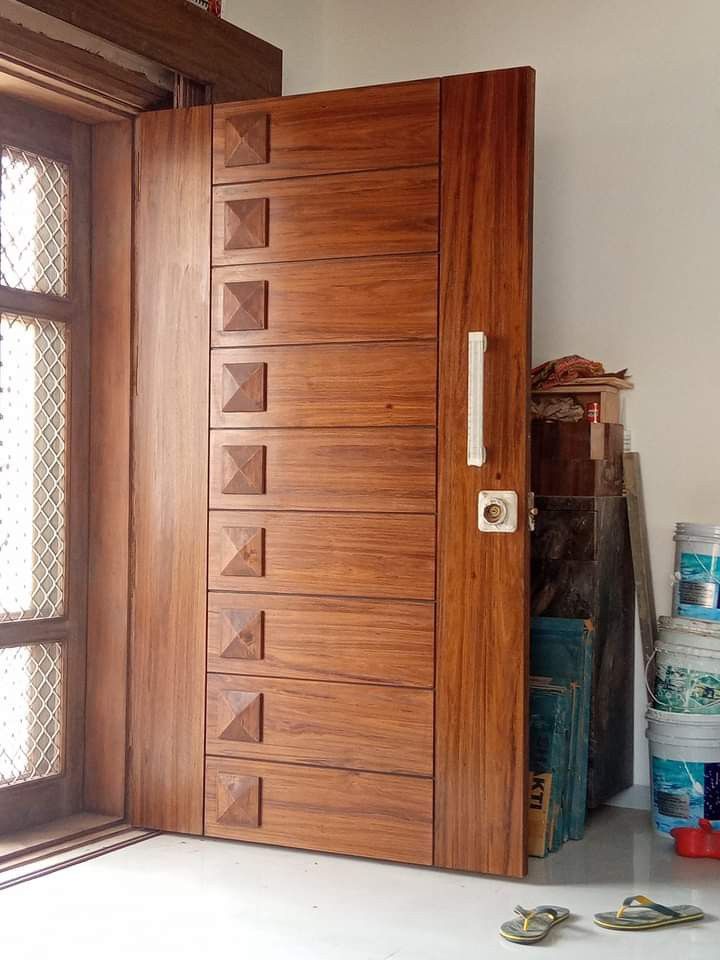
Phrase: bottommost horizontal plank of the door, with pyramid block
(363, 814)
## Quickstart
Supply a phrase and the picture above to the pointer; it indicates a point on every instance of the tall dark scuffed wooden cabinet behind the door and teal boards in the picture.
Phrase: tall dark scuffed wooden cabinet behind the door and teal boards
(582, 568)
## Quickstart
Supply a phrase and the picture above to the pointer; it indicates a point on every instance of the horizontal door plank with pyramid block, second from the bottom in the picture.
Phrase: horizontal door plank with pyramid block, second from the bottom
(353, 726)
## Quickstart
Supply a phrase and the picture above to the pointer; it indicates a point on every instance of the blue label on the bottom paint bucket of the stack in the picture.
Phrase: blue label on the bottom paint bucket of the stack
(684, 793)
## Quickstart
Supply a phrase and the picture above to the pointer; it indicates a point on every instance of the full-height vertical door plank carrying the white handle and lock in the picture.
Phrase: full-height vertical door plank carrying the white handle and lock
(482, 643)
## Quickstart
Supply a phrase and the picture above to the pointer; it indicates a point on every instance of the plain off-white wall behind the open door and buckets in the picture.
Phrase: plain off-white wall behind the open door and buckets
(627, 198)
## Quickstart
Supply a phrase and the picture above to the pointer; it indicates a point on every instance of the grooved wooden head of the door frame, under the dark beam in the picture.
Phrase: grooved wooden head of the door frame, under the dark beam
(59, 73)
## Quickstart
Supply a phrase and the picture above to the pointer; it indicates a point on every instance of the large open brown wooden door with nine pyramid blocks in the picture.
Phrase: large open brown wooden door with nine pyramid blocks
(366, 642)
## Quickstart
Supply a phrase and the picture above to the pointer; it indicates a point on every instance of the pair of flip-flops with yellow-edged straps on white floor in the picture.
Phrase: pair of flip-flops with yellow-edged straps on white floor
(635, 913)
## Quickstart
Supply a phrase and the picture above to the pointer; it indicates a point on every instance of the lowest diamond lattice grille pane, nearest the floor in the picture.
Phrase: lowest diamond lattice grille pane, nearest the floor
(30, 712)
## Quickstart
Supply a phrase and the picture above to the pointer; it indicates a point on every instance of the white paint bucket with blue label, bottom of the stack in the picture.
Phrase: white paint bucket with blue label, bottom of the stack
(684, 769)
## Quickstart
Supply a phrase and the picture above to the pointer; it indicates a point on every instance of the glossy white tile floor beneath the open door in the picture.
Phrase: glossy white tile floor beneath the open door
(188, 899)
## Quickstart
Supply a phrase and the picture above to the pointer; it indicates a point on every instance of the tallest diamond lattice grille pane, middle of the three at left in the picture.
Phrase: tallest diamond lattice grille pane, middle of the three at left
(33, 385)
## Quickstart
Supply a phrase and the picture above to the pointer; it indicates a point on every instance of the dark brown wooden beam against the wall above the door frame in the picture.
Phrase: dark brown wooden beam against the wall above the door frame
(183, 38)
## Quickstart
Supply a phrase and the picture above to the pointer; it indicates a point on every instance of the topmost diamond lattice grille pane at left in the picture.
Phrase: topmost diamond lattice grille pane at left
(34, 206)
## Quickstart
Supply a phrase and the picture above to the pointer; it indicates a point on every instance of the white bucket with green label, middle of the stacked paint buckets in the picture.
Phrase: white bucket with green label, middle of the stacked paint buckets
(687, 678)
